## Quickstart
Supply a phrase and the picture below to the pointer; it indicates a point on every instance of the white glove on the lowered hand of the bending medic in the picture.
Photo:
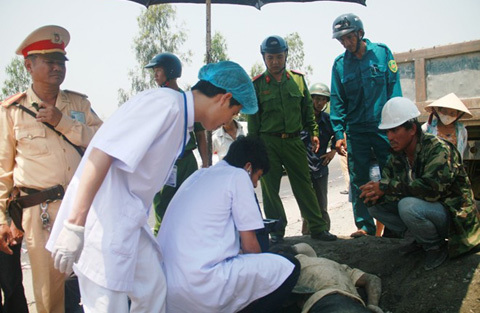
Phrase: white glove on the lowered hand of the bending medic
(68, 247)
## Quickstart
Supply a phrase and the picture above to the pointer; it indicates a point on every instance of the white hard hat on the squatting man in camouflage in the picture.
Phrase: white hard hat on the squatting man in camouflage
(397, 111)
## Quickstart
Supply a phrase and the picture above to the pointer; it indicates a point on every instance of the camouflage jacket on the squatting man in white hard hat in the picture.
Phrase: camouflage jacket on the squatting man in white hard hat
(437, 175)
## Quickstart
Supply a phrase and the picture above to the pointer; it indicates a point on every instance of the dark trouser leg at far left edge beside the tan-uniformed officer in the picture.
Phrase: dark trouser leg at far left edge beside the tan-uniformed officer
(11, 282)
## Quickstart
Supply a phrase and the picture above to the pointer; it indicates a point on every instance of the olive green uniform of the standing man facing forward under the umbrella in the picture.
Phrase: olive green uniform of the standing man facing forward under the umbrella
(285, 108)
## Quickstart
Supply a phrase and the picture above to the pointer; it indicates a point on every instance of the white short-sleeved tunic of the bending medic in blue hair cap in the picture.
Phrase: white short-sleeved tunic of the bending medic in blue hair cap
(144, 136)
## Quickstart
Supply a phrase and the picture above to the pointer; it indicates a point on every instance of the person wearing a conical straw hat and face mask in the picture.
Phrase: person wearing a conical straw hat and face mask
(445, 114)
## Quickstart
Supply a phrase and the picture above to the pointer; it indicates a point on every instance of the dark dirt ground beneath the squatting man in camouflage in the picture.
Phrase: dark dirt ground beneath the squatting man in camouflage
(406, 286)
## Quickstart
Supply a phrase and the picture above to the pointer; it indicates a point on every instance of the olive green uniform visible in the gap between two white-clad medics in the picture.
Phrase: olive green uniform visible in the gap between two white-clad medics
(186, 165)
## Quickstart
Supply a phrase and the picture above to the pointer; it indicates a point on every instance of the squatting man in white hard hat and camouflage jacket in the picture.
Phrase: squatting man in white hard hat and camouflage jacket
(424, 189)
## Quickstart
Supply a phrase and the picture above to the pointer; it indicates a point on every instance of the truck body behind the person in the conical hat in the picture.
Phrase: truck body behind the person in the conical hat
(431, 73)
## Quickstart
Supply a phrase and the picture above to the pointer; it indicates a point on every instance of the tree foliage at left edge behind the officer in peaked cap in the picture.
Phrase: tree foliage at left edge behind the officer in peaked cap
(18, 79)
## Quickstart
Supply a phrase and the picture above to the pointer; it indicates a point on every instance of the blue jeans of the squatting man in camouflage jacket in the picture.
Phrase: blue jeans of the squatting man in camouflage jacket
(426, 221)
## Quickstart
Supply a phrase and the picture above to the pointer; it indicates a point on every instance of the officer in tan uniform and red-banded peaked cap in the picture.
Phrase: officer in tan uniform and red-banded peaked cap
(44, 131)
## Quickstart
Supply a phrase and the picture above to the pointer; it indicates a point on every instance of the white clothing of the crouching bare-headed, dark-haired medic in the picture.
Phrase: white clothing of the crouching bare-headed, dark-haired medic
(199, 237)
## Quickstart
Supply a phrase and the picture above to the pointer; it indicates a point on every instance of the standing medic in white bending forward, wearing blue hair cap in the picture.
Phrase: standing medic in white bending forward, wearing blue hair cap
(102, 222)
